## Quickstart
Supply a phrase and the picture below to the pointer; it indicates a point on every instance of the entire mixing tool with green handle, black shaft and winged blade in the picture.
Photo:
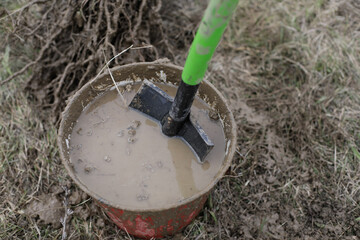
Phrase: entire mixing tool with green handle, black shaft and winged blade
(174, 114)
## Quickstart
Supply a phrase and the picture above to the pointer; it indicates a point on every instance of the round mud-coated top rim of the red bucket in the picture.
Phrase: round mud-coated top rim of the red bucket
(220, 174)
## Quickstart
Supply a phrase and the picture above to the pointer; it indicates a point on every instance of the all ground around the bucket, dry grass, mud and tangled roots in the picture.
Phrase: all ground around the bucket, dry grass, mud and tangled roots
(290, 71)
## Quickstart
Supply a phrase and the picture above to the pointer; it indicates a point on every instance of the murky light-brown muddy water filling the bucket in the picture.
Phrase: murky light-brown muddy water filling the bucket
(122, 155)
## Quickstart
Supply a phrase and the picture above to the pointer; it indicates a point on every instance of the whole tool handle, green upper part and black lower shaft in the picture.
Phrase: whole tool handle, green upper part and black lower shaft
(216, 17)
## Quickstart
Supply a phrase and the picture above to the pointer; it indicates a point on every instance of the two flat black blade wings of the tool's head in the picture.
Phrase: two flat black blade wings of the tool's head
(156, 103)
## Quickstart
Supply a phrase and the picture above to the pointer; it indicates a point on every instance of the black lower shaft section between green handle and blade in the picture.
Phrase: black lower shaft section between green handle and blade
(180, 109)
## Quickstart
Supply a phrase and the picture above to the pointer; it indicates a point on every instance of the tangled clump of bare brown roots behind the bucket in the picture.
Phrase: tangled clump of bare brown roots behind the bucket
(75, 37)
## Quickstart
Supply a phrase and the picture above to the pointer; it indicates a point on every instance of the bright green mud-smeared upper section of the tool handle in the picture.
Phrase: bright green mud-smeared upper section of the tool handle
(216, 17)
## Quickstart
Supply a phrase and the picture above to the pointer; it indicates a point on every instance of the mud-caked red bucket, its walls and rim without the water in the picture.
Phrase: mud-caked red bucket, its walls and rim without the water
(149, 223)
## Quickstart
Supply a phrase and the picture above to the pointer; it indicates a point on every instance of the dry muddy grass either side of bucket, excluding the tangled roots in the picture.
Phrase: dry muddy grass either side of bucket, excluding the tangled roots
(290, 71)
